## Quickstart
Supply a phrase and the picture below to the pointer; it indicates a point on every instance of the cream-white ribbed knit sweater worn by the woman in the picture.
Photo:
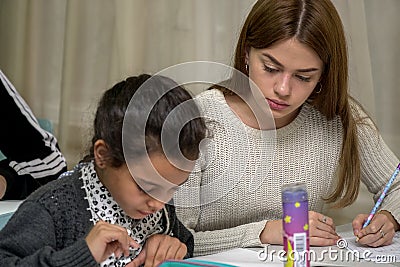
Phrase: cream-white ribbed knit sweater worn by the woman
(236, 185)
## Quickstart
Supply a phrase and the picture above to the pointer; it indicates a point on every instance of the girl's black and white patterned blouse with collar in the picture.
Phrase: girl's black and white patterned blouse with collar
(102, 206)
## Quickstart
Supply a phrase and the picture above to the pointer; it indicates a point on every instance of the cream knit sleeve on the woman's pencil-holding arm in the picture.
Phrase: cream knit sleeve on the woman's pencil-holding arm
(378, 163)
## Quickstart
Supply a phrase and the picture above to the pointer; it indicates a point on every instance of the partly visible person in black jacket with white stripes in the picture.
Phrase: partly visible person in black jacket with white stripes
(33, 155)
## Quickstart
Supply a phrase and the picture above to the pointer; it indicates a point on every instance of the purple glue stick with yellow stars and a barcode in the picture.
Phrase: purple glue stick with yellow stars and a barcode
(296, 241)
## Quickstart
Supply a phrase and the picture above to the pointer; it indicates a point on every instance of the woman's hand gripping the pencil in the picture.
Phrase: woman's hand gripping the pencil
(379, 232)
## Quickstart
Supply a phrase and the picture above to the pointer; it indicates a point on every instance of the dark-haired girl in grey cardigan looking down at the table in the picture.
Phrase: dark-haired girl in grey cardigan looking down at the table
(99, 213)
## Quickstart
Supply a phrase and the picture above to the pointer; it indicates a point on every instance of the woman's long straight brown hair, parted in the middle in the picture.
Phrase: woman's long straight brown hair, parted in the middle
(316, 24)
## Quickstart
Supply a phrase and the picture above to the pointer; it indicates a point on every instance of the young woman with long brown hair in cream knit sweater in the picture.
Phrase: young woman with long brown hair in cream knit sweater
(295, 53)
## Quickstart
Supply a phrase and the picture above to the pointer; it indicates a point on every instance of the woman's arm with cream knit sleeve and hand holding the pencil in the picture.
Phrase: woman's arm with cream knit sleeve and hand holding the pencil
(378, 163)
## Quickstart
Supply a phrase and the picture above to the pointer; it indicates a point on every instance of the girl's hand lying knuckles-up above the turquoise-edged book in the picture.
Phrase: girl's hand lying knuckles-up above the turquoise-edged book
(159, 248)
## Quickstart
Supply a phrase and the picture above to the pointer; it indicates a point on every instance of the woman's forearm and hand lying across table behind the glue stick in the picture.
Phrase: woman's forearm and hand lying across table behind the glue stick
(245, 235)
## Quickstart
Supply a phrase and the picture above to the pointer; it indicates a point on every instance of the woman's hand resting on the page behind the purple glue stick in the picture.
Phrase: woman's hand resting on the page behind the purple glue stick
(321, 231)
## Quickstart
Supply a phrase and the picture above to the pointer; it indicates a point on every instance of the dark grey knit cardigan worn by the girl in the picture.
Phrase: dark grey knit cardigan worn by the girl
(49, 227)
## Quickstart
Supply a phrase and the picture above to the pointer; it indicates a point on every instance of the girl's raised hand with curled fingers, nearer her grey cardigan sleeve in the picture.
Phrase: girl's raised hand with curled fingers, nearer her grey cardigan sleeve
(105, 239)
